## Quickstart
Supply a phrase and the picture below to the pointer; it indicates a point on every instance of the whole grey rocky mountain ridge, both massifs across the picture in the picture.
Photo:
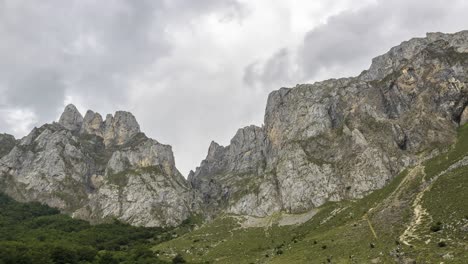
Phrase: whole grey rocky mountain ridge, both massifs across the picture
(328, 141)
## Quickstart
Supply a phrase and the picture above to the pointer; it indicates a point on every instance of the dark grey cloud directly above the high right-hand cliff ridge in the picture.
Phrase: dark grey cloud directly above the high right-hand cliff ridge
(347, 42)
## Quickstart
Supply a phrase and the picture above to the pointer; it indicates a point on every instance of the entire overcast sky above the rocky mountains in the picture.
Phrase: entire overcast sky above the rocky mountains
(191, 71)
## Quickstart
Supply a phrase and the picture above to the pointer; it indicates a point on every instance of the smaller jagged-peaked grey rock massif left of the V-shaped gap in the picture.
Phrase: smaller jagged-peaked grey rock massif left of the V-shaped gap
(97, 170)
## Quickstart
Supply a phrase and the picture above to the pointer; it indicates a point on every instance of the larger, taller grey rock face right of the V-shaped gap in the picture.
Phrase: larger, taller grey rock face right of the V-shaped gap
(342, 138)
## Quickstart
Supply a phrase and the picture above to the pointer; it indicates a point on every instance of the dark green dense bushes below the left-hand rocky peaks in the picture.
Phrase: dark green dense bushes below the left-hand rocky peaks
(36, 233)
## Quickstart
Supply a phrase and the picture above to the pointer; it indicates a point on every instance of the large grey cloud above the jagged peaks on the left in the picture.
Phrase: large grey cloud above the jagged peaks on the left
(88, 49)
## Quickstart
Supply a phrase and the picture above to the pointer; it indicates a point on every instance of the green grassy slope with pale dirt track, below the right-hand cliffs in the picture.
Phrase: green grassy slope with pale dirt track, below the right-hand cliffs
(421, 216)
